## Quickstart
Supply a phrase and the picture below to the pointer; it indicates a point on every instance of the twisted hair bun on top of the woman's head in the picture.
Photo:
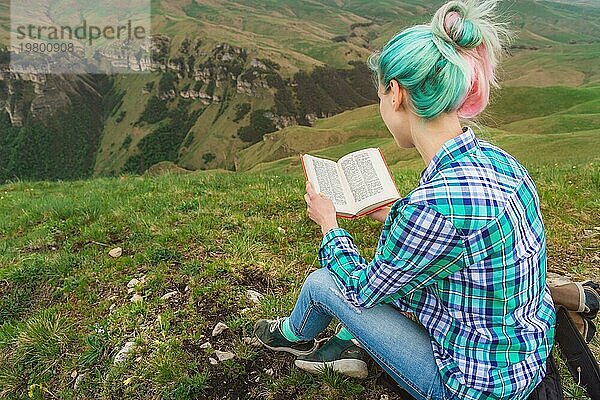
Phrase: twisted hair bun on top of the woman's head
(453, 24)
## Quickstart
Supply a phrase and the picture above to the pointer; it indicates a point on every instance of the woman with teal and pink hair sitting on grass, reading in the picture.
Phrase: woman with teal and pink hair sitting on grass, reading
(464, 251)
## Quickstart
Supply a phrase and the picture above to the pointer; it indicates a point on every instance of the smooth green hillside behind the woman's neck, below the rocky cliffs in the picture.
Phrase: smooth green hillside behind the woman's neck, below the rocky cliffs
(561, 123)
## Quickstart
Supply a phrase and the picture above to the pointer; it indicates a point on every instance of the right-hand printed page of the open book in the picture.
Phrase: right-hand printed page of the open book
(367, 177)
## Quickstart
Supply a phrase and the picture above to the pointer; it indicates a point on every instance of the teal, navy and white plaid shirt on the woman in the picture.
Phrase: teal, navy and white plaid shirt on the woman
(465, 251)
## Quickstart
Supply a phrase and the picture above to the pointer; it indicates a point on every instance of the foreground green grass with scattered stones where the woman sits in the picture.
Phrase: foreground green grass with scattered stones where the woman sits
(208, 236)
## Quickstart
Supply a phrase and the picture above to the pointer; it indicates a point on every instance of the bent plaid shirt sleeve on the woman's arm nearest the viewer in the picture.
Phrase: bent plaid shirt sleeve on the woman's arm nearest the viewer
(421, 247)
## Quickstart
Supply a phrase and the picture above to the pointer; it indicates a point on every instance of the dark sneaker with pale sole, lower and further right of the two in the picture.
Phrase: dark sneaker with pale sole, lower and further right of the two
(342, 356)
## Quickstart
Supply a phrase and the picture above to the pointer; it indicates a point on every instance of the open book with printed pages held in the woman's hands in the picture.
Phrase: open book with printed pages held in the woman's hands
(359, 183)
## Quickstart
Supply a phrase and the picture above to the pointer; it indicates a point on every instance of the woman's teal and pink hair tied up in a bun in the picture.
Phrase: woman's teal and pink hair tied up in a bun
(447, 65)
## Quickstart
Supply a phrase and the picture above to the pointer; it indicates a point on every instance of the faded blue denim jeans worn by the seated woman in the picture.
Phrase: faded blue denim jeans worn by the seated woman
(399, 345)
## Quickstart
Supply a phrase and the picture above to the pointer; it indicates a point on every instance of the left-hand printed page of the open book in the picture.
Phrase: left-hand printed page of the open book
(324, 176)
